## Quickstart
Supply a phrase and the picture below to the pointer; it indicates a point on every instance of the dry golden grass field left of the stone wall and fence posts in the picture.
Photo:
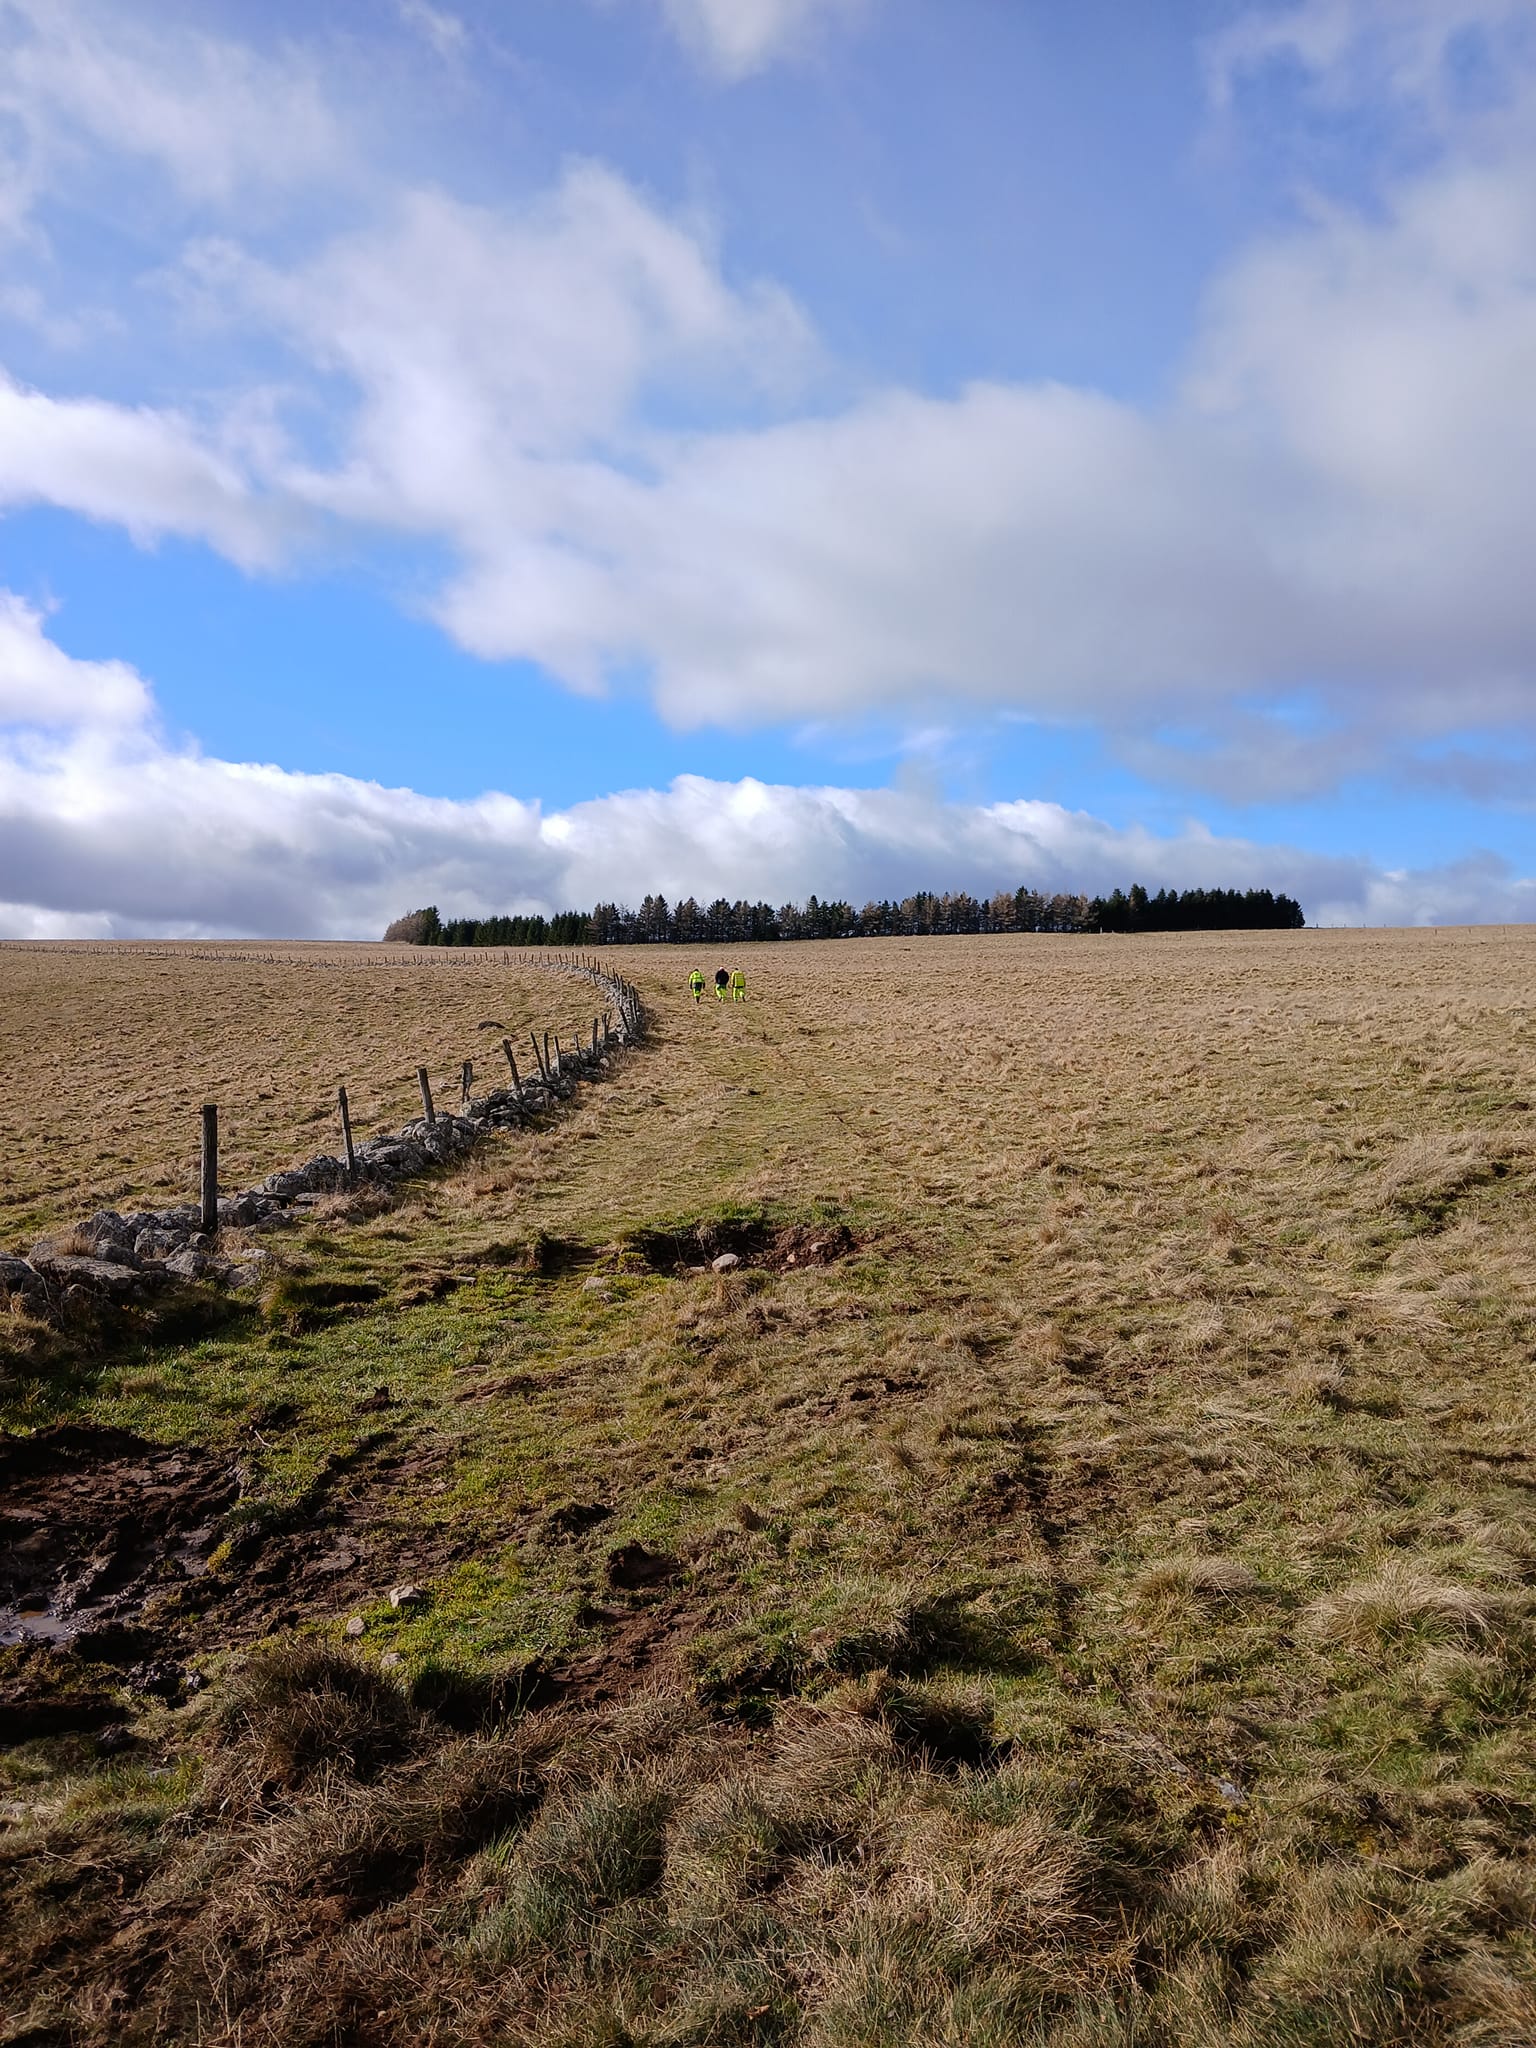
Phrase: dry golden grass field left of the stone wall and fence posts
(112, 1050)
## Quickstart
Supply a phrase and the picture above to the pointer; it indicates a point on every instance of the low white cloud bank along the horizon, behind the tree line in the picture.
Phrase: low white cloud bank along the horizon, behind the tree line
(108, 830)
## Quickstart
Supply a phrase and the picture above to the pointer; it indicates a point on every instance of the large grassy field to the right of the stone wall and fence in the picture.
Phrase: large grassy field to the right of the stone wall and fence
(1074, 1582)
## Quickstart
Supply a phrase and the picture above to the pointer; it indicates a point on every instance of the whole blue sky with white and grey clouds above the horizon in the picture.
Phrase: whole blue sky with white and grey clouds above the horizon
(538, 452)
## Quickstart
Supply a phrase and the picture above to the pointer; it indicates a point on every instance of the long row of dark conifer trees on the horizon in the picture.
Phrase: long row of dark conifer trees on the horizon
(916, 916)
